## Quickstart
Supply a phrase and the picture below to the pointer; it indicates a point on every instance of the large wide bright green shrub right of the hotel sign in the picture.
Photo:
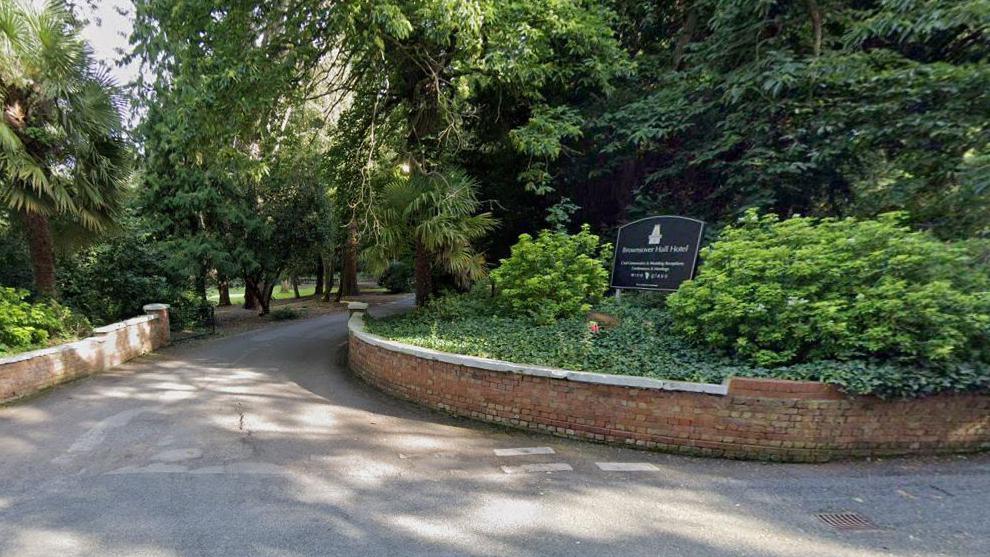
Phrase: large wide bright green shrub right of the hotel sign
(799, 290)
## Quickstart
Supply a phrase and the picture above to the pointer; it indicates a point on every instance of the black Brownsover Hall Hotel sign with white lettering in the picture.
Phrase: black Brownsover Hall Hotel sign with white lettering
(656, 253)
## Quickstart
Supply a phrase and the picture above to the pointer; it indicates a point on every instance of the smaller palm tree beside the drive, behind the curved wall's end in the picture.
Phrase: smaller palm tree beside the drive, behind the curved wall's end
(432, 218)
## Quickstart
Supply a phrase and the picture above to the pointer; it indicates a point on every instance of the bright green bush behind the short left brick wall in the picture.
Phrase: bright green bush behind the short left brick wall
(26, 326)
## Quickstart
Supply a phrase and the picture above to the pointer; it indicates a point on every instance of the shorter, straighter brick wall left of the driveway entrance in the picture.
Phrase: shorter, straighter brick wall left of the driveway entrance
(25, 374)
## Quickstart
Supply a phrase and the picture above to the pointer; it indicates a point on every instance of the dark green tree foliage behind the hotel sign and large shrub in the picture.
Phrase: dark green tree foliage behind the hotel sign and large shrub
(735, 104)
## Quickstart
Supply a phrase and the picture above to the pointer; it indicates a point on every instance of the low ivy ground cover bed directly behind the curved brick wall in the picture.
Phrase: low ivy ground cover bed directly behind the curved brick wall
(644, 343)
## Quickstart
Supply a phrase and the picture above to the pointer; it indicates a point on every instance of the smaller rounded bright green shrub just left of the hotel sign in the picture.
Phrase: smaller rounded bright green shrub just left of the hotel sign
(556, 275)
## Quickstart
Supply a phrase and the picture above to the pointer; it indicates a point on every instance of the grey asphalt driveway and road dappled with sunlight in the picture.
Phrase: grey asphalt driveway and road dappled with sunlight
(264, 444)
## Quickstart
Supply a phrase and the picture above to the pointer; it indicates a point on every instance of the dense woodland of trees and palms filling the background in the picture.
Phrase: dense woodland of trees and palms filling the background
(317, 138)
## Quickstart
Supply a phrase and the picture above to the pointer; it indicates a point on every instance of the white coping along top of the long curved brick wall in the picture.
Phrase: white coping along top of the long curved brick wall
(356, 327)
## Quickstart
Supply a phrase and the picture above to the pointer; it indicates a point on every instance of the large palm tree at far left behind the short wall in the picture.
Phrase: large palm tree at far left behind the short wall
(62, 151)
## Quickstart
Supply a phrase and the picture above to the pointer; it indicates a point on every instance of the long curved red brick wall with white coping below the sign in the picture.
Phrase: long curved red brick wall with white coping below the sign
(748, 418)
